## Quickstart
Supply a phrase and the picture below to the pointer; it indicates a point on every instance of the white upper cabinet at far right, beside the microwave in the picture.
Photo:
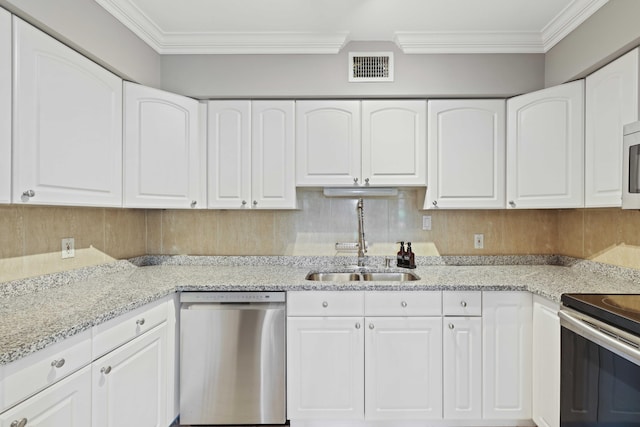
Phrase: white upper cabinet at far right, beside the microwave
(611, 102)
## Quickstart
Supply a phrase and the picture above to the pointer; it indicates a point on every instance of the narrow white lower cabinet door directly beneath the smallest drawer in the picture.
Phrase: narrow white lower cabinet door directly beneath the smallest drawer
(462, 349)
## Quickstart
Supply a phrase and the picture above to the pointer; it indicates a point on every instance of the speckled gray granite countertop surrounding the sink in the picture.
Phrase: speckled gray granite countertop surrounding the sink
(39, 312)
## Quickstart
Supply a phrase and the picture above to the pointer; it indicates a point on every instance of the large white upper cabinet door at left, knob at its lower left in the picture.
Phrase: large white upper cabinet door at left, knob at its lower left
(67, 125)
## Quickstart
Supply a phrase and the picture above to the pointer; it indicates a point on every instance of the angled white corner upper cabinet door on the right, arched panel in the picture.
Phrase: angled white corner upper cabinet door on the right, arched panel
(545, 148)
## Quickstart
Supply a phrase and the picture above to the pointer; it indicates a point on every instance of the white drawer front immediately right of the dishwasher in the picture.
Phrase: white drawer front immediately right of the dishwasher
(325, 303)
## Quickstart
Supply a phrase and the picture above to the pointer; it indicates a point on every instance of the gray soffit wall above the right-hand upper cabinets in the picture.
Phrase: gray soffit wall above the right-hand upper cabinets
(612, 31)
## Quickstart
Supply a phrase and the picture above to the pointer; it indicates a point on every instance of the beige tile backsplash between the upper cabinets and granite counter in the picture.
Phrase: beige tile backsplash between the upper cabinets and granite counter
(31, 235)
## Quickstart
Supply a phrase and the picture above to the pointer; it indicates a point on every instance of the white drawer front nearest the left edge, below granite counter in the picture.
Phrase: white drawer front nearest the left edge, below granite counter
(26, 376)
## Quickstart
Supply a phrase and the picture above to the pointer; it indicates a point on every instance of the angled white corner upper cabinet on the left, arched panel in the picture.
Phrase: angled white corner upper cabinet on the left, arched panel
(164, 150)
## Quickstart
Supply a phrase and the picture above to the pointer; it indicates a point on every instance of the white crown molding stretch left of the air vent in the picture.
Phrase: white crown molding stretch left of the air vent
(221, 42)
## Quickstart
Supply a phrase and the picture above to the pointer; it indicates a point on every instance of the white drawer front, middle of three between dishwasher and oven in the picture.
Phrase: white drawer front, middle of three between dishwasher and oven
(401, 303)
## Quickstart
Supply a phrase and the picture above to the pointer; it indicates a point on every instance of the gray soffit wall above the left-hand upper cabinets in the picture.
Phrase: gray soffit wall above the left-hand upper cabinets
(88, 28)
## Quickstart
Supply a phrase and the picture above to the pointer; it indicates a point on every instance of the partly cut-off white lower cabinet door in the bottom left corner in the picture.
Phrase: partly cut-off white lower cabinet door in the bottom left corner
(66, 403)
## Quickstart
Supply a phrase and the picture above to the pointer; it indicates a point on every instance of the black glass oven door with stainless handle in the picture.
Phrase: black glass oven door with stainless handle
(599, 374)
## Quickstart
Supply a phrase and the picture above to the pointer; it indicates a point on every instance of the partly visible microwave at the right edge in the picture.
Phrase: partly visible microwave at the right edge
(631, 167)
